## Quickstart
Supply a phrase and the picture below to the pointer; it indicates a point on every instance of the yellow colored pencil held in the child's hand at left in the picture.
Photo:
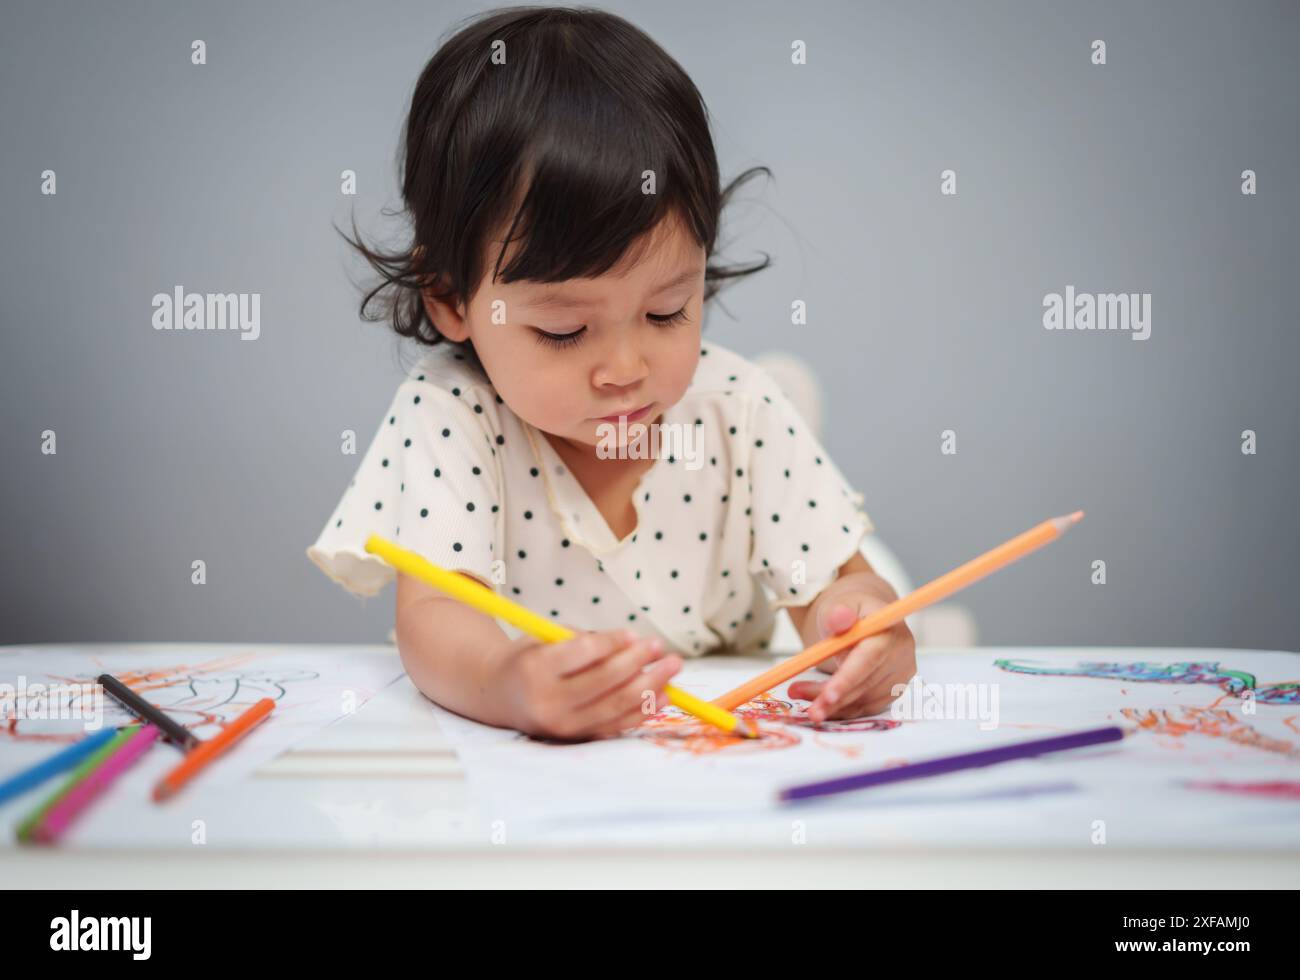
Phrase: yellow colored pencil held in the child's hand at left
(484, 600)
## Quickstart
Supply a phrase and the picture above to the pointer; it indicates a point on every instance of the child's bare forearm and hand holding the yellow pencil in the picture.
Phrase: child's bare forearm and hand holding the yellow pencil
(590, 687)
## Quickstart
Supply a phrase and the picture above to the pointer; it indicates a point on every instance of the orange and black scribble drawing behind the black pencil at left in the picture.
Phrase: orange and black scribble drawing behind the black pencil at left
(203, 697)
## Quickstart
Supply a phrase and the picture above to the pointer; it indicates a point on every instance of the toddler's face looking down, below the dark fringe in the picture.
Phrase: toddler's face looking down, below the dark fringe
(616, 358)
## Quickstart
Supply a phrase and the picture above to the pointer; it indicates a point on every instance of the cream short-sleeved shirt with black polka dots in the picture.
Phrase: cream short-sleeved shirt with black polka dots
(749, 517)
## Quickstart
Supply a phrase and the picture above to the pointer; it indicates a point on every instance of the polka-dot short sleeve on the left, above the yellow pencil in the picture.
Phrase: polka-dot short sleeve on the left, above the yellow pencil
(430, 482)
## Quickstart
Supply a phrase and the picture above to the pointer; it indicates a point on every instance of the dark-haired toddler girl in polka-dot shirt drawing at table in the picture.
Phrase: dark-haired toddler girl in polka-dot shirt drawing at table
(567, 439)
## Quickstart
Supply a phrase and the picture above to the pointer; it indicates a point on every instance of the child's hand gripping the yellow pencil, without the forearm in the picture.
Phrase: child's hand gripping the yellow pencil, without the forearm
(590, 687)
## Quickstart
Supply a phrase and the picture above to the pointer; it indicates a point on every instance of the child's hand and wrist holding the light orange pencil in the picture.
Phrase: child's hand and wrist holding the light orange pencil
(866, 674)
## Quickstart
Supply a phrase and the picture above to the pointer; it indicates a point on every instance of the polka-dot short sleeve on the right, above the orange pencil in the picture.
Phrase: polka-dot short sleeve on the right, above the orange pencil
(805, 519)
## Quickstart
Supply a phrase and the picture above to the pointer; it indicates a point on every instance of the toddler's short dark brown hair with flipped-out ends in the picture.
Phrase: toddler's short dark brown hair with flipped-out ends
(552, 146)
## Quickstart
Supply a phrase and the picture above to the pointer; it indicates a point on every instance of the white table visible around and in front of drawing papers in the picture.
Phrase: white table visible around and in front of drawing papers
(340, 809)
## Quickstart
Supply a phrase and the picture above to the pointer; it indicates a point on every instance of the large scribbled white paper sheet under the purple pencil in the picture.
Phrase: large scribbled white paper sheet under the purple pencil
(1210, 735)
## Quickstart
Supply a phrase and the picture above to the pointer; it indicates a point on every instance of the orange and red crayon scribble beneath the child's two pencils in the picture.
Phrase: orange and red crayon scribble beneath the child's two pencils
(774, 718)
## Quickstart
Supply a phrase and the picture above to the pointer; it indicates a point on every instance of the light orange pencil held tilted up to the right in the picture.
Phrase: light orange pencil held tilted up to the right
(889, 615)
